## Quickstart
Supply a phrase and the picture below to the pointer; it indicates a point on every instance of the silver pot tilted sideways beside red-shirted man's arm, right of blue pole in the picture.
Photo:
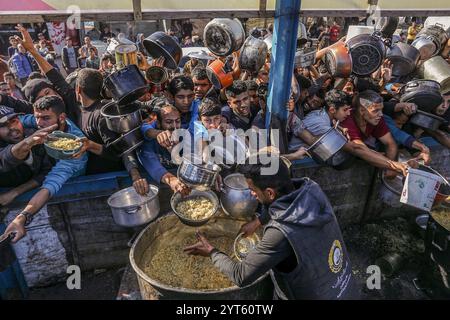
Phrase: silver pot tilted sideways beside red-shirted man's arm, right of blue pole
(328, 145)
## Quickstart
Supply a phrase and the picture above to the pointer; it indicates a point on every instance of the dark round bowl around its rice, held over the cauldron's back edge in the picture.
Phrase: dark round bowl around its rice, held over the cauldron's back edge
(177, 198)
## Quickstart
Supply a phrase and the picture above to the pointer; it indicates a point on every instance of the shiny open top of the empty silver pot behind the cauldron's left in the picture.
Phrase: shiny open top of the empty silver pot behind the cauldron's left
(128, 197)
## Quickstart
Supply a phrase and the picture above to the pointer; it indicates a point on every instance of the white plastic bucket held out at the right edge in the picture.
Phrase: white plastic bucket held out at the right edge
(420, 189)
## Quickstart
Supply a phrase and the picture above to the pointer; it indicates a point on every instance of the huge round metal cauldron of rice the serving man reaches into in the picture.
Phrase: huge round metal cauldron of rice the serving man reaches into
(164, 271)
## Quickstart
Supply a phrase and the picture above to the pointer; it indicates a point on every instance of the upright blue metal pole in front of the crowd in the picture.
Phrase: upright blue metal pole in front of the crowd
(282, 67)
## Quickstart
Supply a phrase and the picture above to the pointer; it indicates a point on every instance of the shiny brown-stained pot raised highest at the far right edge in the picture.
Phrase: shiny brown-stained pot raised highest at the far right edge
(430, 41)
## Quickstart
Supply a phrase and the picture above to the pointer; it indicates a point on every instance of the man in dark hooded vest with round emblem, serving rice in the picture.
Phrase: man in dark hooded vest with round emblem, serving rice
(302, 243)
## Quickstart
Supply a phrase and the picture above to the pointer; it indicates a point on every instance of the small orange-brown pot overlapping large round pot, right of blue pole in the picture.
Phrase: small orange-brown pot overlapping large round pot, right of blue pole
(338, 62)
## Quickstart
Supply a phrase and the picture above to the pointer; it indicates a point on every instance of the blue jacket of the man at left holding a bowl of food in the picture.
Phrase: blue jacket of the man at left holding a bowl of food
(63, 170)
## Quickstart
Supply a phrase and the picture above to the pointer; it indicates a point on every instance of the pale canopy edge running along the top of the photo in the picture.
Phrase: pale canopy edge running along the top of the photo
(41, 10)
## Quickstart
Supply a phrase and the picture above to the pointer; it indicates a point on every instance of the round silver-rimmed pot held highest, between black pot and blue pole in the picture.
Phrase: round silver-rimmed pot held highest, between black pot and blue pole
(224, 36)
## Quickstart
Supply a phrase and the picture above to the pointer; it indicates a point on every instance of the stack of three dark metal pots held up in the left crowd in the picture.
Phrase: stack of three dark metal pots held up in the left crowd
(123, 113)
